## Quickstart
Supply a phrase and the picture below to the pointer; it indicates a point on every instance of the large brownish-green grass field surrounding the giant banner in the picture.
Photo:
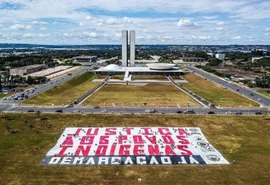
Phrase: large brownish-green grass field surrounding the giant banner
(244, 140)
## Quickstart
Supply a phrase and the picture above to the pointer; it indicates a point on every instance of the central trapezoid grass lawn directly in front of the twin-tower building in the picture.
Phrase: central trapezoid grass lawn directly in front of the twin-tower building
(152, 94)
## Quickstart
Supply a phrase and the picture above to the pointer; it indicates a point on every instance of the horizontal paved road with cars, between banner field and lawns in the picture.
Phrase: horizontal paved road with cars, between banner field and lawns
(135, 110)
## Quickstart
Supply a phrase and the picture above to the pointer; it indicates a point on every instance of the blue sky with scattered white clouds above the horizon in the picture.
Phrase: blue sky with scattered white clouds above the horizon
(155, 21)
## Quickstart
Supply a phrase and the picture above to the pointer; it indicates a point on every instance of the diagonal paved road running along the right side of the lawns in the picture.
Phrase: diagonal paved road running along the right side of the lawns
(244, 91)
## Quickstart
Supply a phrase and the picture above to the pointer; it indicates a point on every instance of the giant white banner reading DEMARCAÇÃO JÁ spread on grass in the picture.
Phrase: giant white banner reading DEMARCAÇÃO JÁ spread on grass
(133, 145)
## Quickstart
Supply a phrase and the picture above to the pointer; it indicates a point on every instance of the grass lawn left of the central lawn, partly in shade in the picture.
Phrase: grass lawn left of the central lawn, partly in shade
(66, 93)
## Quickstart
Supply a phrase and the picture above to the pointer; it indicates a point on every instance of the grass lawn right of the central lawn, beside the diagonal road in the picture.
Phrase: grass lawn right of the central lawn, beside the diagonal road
(215, 94)
